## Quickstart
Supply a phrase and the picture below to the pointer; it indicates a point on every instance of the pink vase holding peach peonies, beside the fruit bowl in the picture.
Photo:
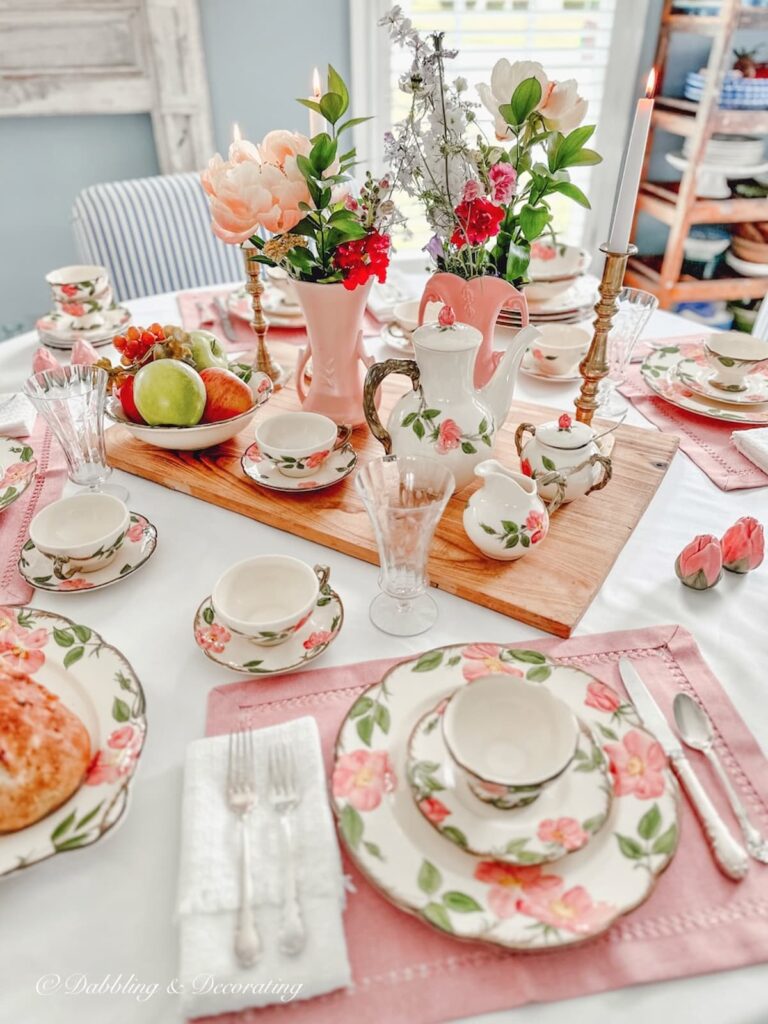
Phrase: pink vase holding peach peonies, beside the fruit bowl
(334, 319)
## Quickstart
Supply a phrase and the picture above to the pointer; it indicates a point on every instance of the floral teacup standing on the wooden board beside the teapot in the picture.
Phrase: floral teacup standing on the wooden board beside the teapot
(297, 444)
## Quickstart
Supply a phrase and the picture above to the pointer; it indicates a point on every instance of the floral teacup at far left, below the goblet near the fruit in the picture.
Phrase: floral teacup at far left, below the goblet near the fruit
(81, 534)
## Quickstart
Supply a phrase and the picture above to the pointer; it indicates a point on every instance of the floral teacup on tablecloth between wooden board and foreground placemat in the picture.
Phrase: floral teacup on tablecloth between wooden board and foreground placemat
(269, 599)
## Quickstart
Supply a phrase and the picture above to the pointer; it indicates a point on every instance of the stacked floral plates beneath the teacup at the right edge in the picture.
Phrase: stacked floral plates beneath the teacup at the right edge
(680, 375)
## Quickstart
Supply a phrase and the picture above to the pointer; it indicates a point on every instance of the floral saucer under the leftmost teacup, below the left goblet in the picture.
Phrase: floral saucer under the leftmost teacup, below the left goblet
(42, 572)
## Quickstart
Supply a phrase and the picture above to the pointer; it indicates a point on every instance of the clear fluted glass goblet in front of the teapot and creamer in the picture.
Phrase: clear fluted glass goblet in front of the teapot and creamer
(405, 498)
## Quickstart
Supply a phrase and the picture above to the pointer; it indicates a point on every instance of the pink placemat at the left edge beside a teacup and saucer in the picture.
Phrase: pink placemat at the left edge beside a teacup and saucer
(15, 522)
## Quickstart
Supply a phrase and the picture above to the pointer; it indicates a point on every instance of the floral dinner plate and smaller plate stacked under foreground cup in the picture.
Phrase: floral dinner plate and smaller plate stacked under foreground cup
(551, 874)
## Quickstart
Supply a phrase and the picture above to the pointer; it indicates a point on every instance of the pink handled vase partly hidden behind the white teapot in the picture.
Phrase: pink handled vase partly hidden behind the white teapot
(478, 302)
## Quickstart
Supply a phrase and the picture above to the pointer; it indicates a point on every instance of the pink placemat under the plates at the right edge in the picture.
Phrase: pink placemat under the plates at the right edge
(707, 443)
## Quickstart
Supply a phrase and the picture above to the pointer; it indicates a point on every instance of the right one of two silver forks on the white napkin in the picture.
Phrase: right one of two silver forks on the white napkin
(285, 797)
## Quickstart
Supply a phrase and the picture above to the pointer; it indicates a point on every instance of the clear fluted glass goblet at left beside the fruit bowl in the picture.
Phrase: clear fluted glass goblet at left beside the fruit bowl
(72, 402)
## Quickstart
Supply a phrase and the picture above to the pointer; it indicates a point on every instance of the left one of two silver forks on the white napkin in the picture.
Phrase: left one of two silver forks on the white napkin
(241, 795)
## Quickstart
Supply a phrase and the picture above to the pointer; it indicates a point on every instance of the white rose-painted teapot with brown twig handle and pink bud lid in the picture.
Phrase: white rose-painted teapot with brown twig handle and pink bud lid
(446, 417)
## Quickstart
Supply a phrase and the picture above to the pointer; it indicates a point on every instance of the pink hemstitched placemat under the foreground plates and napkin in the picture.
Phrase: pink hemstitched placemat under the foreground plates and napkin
(697, 921)
